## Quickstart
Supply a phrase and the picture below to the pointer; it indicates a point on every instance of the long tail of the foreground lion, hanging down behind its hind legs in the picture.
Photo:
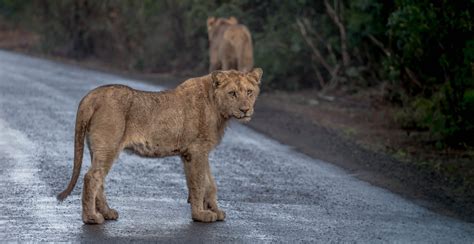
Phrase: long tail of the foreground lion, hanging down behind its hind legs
(84, 114)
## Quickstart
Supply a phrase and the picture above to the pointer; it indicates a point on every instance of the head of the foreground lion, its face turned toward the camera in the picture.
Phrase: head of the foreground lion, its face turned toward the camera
(236, 92)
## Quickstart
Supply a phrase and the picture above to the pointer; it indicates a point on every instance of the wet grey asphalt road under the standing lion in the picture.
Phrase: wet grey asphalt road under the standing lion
(270, 192)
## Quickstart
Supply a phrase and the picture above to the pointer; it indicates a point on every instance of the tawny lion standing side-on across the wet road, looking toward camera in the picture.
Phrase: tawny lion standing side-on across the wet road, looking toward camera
(187, 121)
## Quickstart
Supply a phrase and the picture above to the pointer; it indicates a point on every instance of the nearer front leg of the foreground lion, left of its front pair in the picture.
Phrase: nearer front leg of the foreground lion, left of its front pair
(197, 181)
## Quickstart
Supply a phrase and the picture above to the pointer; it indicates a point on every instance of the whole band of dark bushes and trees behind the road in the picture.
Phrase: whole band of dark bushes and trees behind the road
(423, 51)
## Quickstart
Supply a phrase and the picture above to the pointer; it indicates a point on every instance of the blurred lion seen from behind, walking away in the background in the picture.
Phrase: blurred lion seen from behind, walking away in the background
(230, 45)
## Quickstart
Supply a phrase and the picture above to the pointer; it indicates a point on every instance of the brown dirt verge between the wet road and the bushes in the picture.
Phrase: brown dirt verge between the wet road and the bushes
(354, 132)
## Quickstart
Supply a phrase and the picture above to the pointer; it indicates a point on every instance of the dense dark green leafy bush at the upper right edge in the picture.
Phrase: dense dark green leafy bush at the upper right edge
(434, 38)
